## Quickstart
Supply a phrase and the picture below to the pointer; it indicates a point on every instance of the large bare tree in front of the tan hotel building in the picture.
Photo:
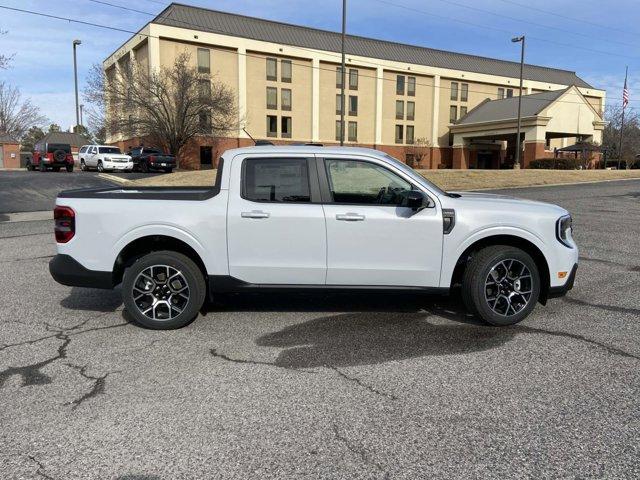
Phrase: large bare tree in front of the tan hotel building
(170, 106)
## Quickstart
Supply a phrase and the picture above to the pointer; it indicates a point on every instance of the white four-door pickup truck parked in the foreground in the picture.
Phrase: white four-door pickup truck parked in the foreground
(311, 218)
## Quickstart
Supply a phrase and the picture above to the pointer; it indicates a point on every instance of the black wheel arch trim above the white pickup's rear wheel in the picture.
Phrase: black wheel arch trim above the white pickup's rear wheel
(153, 243)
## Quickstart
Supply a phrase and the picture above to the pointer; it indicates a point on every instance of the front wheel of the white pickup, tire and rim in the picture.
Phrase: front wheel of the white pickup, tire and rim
(501, 285)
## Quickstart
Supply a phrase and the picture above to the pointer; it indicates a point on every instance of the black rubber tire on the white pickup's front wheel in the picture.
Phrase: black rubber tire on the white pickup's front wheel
(475, 288)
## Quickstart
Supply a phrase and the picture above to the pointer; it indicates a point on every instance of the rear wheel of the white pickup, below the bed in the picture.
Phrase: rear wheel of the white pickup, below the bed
(163, 290)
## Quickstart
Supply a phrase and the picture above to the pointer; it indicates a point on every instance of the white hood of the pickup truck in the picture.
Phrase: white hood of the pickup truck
(502, 202)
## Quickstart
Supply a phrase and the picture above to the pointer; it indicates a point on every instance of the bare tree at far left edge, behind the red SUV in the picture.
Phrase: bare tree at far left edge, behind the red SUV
(16, 115)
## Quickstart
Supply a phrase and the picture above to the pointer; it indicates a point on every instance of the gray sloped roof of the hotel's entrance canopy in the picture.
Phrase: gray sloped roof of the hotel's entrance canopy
(507, 108)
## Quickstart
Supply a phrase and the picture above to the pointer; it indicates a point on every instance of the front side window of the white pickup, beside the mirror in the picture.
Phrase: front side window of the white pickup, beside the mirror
(365, 183)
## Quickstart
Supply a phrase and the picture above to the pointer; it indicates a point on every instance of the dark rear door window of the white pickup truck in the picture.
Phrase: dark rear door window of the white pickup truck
(276, 180)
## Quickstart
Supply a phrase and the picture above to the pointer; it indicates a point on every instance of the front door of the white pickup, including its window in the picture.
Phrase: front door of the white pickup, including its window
(371, 239)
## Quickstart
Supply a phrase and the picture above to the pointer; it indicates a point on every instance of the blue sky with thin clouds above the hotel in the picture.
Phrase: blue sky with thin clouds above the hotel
(593, 38)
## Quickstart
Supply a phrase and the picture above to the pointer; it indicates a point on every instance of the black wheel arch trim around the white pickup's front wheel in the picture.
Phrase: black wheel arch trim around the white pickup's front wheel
(512, 241)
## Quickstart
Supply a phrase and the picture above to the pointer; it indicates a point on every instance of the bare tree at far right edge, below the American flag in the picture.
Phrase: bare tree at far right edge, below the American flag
(631, 137)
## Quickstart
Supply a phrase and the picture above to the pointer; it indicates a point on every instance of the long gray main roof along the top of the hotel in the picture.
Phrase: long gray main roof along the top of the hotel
(202, 19)
